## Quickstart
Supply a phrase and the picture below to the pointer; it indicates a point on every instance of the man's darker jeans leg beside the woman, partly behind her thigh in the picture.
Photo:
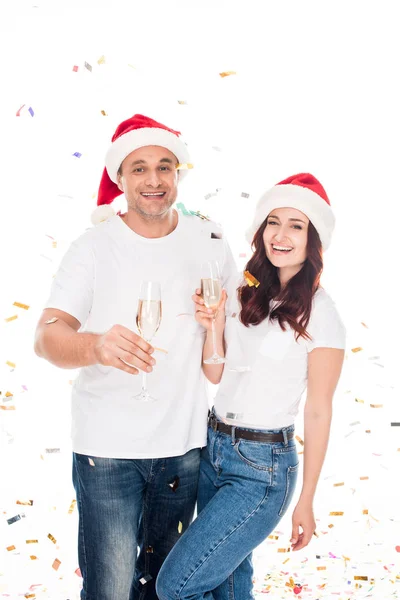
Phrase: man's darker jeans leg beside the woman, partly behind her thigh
(168, 510)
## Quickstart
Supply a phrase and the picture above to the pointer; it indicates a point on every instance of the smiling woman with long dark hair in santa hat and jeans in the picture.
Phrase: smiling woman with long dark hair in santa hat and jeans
(285, 336)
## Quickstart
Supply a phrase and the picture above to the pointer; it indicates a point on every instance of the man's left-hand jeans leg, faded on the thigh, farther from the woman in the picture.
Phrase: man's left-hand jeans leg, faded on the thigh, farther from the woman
(109, 496)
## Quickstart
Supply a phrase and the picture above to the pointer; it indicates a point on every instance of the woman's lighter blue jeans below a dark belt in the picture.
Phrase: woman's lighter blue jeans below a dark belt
(244, 490)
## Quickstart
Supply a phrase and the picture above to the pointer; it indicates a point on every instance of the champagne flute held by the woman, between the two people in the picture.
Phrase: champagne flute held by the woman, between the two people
(211, 290)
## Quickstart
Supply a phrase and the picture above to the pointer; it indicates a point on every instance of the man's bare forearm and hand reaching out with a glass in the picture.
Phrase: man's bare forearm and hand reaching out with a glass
(60, 343)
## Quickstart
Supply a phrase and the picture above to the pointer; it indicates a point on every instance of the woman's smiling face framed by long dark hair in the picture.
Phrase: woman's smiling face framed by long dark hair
(285, 239)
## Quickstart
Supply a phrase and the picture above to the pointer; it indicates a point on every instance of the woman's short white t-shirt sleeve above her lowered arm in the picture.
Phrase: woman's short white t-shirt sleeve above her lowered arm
(325, 327)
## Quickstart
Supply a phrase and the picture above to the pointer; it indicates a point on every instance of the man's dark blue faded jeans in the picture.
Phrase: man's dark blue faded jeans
(130, 512)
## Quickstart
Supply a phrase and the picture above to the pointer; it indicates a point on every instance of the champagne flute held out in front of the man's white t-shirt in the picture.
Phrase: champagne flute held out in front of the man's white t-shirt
(148, 319)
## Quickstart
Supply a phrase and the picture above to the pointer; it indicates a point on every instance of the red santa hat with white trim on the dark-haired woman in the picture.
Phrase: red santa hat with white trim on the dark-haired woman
(303, 192)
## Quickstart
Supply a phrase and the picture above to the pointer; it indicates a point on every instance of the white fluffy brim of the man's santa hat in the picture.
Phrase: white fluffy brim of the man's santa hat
(145, 136)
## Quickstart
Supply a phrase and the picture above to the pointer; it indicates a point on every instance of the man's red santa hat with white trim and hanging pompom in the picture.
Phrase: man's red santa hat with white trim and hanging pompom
(134, 133)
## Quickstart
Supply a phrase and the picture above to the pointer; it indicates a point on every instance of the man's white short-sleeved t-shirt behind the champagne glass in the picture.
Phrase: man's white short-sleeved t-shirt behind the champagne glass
(98, 283)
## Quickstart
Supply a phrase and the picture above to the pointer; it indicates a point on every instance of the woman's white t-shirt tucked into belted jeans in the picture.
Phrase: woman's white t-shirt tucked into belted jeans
(266, 370)
